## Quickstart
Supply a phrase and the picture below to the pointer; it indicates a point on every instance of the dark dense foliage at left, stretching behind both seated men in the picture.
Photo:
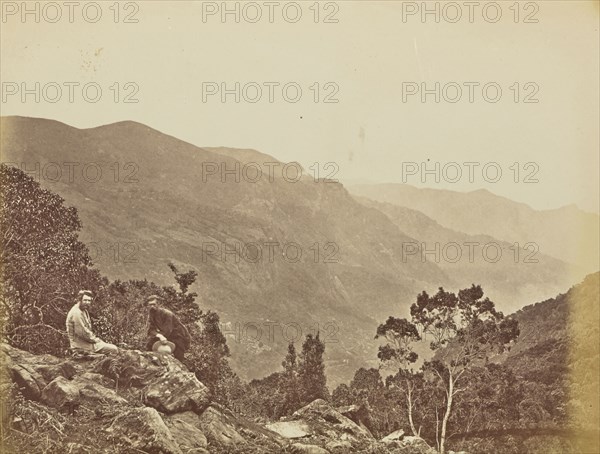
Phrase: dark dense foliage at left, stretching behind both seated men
(44, 265)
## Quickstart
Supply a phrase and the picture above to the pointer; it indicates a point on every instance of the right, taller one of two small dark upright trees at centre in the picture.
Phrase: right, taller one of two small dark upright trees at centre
(312, 380)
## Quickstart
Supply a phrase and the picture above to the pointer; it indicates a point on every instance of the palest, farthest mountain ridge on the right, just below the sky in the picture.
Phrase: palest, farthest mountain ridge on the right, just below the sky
(566, 233)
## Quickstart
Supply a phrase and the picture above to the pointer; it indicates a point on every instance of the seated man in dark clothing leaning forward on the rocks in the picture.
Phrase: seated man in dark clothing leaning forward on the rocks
(164, 325)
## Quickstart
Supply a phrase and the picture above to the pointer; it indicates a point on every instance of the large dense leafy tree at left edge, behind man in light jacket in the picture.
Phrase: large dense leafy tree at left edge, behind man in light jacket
(42, 263)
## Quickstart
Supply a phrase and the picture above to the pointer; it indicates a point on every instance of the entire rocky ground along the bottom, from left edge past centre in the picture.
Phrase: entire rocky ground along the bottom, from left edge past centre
(147, 402)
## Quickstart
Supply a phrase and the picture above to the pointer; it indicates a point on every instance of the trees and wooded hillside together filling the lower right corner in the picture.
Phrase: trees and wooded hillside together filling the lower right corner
(539, 395)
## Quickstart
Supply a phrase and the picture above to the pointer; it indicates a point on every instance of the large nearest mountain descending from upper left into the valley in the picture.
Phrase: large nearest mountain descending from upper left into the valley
(160, 208)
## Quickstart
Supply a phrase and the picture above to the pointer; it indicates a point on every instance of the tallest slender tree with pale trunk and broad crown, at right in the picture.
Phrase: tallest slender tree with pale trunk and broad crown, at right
(464, 330)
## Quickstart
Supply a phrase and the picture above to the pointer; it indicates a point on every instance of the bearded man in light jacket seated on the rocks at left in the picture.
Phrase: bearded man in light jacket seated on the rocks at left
(79, 328)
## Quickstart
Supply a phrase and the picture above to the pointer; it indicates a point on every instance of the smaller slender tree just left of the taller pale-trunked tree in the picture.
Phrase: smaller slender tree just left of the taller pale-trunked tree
(400, 334)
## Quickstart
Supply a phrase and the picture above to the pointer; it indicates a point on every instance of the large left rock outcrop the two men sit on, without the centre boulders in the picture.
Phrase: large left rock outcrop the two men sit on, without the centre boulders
(139, 401)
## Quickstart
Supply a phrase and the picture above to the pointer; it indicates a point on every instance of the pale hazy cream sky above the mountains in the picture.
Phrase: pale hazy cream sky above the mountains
(372, 135)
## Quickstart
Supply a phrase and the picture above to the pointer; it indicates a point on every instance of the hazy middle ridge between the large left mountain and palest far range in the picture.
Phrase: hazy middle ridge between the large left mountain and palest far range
(515, 278)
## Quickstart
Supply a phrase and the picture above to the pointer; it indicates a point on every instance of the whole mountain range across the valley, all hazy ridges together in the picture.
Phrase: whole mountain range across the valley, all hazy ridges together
(160, 199)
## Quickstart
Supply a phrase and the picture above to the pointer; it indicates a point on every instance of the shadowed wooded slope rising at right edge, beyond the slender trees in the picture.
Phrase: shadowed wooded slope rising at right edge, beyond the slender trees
(559, 349)
